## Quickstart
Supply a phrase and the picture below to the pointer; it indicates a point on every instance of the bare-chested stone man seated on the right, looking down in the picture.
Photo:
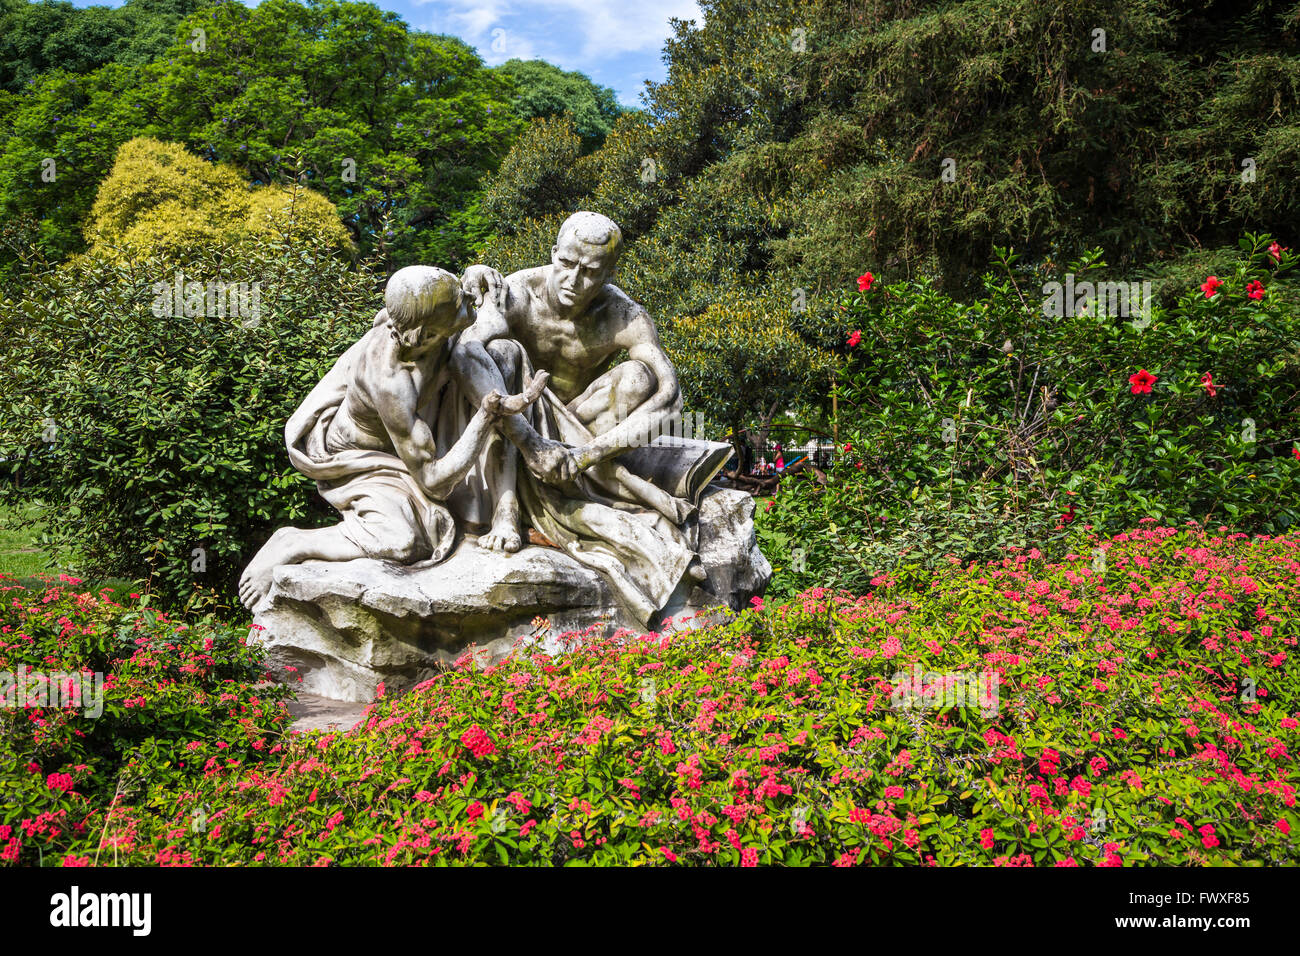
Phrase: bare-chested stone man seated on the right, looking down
(573, 322)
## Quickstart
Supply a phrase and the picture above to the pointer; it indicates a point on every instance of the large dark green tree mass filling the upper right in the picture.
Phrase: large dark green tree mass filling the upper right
(792, 142)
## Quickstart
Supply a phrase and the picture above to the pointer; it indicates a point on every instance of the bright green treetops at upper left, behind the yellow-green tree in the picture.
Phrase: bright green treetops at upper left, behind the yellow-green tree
(393, 126)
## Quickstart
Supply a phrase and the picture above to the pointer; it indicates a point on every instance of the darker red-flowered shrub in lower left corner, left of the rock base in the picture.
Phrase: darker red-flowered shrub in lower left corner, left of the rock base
(164, 686)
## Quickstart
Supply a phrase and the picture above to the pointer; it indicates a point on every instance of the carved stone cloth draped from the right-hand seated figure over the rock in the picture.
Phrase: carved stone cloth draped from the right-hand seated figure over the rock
(638, 537)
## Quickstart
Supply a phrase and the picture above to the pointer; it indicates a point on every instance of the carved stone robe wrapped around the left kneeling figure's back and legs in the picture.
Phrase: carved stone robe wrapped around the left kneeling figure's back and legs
(374, 491)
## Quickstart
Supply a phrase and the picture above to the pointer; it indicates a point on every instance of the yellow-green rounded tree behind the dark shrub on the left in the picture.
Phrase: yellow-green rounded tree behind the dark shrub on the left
(163, 201)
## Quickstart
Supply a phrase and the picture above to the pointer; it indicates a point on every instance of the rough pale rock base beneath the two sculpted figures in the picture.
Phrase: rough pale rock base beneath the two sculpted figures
(349, 626)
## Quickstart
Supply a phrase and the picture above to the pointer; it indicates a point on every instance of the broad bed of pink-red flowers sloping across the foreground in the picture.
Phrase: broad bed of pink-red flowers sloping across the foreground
(1145, 715)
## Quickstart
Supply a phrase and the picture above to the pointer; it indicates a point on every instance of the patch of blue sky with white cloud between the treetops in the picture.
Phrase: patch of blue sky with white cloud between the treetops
(616, 42)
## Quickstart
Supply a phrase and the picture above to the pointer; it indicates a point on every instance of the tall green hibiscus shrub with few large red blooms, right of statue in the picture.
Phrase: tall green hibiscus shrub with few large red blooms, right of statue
(1015, 418)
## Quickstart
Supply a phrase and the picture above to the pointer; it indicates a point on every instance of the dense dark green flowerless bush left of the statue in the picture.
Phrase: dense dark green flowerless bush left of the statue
(155, 442)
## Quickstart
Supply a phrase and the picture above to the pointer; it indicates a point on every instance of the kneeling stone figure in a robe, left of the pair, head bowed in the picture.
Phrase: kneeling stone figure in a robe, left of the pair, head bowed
(365, 435)
